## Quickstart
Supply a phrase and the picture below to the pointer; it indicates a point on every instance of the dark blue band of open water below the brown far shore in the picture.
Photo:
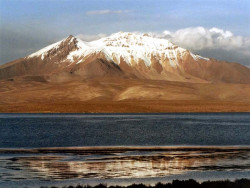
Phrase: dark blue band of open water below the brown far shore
(61, 130)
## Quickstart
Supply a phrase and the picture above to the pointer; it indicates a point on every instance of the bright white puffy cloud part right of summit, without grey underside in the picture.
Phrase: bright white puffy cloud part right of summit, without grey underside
(198, 38)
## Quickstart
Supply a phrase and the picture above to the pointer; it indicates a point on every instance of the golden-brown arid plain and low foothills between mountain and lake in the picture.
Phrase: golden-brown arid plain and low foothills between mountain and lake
(34, 94)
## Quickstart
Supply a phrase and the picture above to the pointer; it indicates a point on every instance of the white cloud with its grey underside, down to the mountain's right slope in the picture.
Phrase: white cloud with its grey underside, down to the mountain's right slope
(213, 42)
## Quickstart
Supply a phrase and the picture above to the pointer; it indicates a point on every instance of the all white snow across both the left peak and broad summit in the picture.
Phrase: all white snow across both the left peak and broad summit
(129, 46)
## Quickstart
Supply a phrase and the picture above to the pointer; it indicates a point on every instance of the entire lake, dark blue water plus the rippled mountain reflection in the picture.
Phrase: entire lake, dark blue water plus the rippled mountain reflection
(67, 149)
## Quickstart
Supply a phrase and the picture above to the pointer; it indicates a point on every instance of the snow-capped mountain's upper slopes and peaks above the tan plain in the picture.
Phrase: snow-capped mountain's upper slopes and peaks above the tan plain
(126, 55)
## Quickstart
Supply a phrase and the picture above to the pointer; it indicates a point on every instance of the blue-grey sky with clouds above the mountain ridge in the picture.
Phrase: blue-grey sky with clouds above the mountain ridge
(211, 28)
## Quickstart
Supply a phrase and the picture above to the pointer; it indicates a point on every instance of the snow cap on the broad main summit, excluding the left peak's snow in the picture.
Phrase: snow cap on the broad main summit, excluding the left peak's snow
(138, 46)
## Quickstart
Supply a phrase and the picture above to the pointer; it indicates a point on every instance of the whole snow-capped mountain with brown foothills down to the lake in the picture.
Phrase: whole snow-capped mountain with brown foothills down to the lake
(121, 68)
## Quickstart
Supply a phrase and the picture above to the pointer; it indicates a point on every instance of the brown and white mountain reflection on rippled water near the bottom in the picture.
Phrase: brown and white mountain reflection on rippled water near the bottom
(109, 163)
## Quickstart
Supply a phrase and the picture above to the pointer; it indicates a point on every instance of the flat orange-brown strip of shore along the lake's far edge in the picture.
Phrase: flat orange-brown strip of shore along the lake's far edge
(124, 107)
